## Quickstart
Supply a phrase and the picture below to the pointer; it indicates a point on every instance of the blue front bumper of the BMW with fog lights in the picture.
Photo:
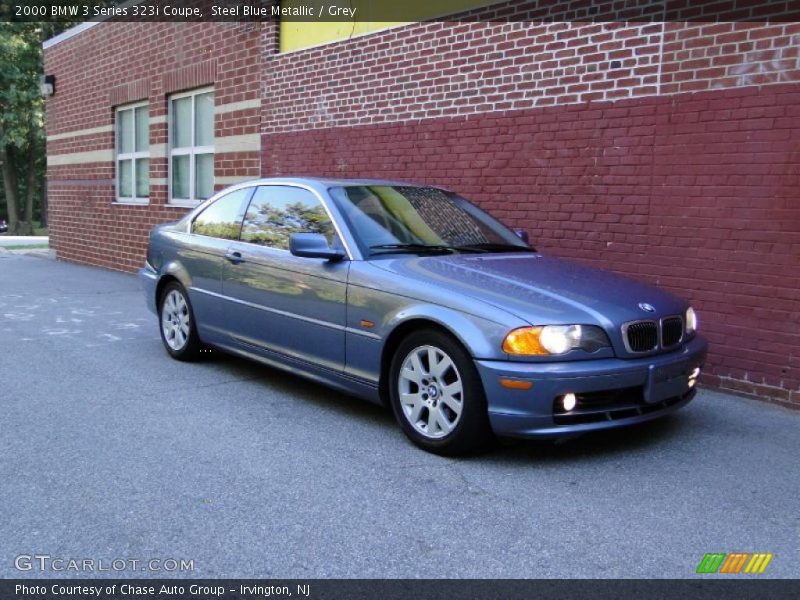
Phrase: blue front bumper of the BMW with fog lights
(611, 392)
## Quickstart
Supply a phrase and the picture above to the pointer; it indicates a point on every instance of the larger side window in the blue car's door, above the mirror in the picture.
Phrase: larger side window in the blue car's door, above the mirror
(276, 212)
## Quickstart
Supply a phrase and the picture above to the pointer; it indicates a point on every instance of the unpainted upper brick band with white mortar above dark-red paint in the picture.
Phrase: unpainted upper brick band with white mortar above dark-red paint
(436, 69)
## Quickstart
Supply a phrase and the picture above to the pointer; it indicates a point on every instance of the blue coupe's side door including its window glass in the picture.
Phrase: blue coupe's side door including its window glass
(292, 306)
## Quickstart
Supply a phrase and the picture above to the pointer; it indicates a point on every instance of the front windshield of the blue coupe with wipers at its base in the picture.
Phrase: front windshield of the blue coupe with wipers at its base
(390, 219)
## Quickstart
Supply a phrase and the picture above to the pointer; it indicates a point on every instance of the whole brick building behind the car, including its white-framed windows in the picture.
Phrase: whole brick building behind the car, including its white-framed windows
(667, 151)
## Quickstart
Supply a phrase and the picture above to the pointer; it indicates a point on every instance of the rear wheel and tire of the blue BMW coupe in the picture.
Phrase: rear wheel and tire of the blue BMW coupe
(177, 325)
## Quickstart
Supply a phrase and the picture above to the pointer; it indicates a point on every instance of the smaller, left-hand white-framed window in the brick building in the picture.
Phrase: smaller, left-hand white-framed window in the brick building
(132, 132)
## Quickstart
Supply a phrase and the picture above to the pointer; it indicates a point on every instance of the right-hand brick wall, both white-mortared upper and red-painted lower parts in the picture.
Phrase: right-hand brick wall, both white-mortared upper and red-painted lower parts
(619, 165)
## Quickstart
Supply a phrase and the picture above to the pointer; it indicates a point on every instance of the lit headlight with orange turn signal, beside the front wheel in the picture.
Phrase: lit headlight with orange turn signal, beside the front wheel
(554, 339)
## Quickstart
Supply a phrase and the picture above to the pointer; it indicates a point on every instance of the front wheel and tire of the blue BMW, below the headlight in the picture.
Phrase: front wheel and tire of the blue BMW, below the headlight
(437, 396)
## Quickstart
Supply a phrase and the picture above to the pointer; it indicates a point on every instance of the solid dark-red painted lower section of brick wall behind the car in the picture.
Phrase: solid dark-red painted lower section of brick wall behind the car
(697, 193)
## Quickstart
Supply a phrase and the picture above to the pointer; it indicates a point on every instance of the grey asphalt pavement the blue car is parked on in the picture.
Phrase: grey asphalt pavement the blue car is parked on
(110, 450)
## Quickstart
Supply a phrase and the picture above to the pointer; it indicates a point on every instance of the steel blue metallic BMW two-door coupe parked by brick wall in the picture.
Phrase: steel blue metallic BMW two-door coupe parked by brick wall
(410, 296)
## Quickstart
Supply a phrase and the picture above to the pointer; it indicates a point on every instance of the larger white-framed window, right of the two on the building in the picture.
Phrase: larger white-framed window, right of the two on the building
(191, 146)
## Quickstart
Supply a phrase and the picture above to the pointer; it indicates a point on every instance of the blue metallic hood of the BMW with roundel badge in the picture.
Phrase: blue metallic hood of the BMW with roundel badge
(538, 289)
